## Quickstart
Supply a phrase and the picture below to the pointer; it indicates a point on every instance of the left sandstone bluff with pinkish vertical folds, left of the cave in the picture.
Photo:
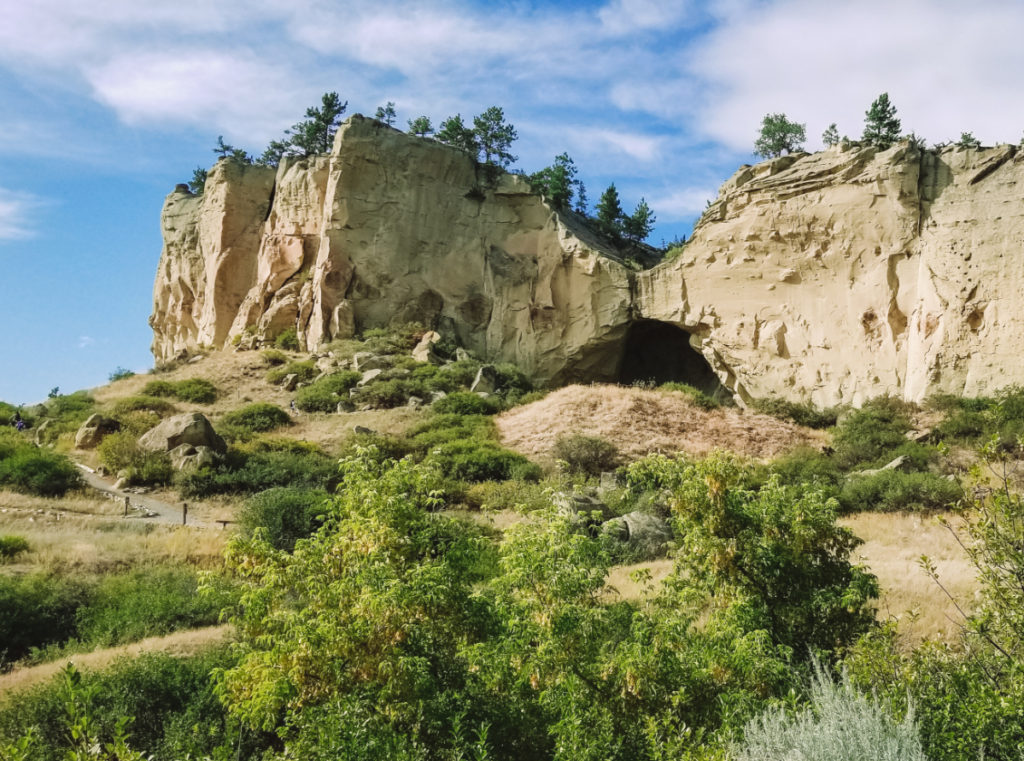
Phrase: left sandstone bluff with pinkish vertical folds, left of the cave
(389, 229)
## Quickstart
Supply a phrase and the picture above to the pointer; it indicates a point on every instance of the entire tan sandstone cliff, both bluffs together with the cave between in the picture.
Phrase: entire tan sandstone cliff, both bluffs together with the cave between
(830, 278)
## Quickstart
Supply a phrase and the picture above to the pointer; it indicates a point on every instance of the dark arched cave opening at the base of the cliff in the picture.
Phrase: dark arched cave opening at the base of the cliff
(660, 353)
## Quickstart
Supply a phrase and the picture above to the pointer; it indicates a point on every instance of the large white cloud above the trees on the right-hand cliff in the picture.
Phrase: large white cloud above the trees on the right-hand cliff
(948, 67)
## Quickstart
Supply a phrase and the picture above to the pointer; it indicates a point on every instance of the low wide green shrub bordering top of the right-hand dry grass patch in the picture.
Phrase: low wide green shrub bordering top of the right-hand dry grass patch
(892, 491)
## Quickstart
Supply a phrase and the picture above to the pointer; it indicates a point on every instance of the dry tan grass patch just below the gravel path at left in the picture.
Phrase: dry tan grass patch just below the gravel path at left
(84, 536)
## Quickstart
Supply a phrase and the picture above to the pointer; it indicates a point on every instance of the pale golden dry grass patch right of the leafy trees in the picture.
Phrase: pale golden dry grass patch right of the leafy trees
(893, 546)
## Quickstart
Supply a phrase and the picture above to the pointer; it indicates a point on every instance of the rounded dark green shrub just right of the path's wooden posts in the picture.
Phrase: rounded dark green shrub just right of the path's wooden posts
(285, 514)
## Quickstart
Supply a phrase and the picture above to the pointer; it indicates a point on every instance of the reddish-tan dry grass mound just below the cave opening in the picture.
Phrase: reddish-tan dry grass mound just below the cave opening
(642, 421)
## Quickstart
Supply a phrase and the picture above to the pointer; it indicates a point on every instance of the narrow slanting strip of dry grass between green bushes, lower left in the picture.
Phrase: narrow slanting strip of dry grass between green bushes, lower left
(180, 645)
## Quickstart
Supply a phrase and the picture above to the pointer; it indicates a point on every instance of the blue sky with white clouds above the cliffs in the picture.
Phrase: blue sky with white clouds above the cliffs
(107, 105)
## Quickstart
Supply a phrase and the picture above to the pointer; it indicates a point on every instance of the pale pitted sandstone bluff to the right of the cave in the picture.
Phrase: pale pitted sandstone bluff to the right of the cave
(849, 274)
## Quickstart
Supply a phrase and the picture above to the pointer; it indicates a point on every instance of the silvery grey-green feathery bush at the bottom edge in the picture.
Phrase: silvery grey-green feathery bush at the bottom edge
(841, 725)
